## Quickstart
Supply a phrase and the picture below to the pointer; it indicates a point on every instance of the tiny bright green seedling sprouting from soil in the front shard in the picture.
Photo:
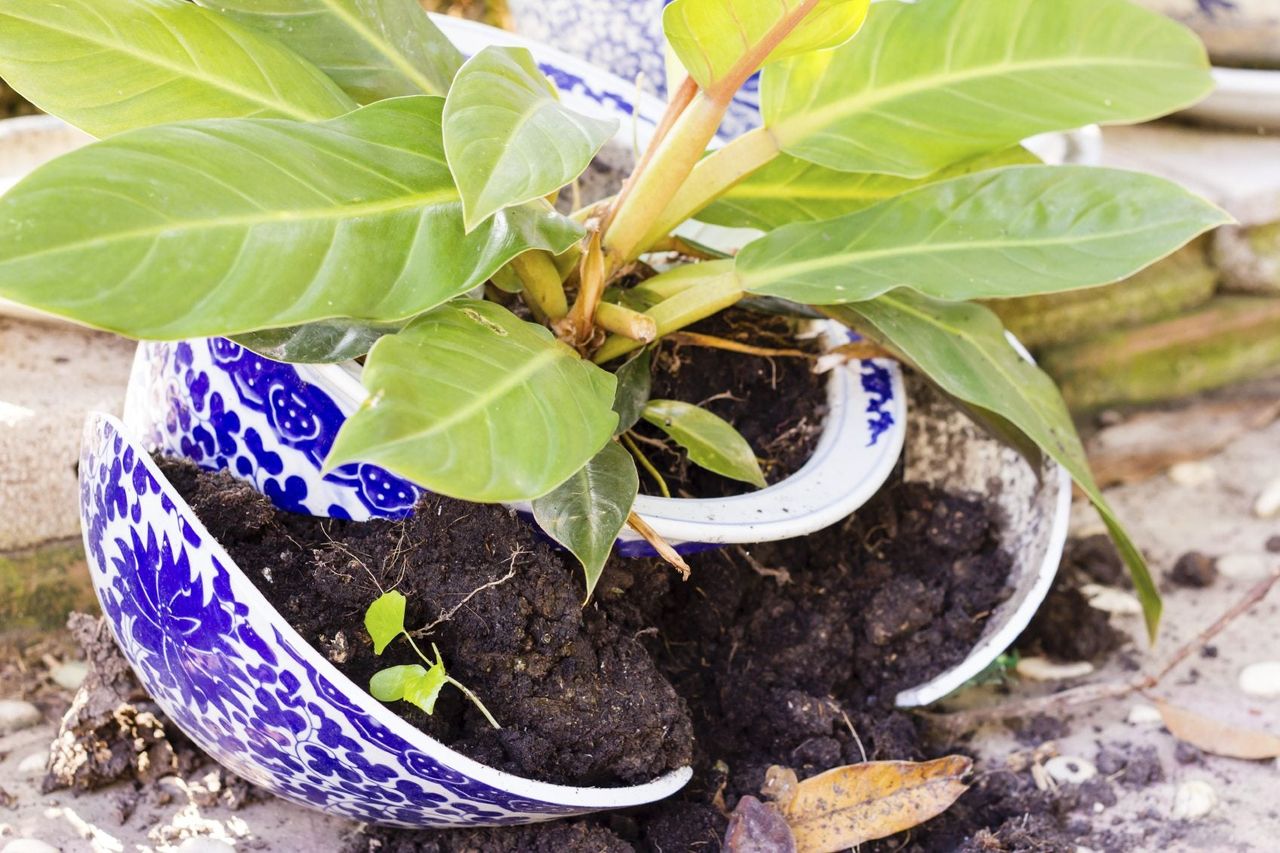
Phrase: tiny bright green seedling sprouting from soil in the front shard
(415, 685)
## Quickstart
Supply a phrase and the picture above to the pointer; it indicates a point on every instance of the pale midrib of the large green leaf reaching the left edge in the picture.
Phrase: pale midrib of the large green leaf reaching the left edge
(246, 221)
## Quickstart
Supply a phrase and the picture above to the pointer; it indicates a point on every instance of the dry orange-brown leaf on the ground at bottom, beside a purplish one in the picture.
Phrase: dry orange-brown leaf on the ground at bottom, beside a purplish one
(848, 806)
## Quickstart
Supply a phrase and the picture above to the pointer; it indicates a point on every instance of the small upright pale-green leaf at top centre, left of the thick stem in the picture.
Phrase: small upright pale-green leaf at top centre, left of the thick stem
(508, 136)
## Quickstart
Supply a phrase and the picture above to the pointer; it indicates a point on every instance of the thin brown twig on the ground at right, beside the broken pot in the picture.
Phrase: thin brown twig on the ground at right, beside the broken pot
(964, 722)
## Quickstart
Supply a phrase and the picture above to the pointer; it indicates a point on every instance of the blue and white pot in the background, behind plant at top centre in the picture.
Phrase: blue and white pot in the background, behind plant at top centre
(625, 39)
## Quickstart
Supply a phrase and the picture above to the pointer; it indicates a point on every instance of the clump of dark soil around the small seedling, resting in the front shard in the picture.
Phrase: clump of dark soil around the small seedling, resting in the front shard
(579, 699)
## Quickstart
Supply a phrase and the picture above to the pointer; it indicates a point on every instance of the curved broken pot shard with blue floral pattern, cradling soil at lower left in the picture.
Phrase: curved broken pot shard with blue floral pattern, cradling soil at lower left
(236, 678)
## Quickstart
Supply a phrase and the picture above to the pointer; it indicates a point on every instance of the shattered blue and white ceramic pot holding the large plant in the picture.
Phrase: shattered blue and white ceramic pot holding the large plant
(231, 672)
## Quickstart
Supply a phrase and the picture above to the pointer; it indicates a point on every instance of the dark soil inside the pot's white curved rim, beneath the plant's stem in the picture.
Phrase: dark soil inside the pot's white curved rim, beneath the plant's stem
(776, 403)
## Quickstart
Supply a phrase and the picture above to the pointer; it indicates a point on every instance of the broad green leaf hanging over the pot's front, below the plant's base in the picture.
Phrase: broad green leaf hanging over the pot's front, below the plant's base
(473, 403)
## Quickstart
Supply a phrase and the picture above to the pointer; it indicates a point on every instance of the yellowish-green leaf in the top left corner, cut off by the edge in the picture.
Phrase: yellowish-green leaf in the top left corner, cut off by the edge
(113, 67)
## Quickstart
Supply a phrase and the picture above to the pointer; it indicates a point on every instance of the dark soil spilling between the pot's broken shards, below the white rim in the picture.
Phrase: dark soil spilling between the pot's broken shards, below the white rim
(789, 654)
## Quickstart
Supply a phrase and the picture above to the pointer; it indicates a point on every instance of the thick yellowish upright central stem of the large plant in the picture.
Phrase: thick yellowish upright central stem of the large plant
(657, 185)
